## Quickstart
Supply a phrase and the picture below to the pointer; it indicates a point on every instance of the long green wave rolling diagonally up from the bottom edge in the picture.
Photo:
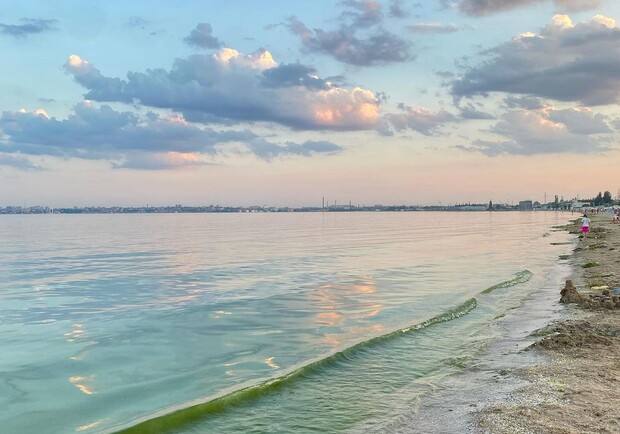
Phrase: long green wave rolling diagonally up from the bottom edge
(186, 416)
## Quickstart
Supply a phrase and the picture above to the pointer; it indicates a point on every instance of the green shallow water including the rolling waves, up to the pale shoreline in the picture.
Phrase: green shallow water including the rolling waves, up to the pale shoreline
(372, 380)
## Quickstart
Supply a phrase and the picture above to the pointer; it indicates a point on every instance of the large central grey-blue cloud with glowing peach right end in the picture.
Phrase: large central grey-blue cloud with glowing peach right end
(229, 86)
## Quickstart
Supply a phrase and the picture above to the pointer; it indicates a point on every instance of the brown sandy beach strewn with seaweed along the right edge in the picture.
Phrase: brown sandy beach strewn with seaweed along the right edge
(577, 387)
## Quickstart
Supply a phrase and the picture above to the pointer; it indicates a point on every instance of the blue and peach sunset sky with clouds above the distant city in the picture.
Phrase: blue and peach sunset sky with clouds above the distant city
(283, 103)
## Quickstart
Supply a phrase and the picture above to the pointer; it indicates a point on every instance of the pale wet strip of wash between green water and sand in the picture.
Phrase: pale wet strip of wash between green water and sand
(492, 376)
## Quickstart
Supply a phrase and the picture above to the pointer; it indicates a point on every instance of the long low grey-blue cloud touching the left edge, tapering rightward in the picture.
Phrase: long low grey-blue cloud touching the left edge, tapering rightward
(132, 141)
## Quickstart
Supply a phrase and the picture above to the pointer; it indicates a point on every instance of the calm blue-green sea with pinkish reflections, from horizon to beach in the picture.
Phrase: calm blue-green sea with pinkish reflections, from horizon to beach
(256, 322)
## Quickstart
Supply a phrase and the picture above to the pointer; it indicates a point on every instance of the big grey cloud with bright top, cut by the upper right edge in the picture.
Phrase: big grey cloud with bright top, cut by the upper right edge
(564, 62)
